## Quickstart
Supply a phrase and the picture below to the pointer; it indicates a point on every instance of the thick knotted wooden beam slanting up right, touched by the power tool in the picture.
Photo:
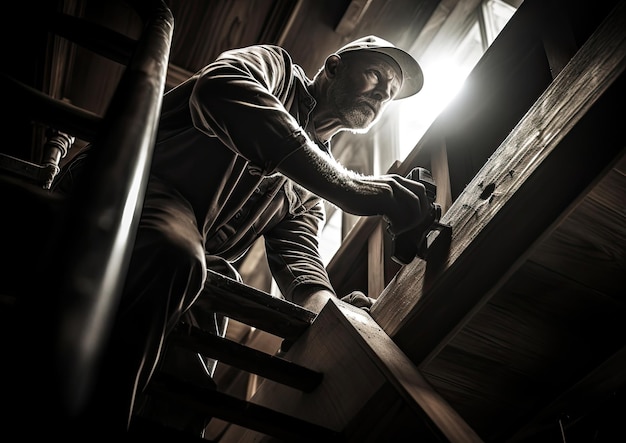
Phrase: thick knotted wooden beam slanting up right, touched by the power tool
(539, 170)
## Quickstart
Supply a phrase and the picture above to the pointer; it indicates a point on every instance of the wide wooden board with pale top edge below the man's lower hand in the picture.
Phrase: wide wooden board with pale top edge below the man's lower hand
(361, 366)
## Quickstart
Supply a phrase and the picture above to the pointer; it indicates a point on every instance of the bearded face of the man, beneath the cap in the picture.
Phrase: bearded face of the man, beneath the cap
(364, 85)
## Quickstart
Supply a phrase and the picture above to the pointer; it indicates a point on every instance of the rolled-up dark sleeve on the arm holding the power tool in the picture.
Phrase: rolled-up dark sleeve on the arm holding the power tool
(240, 98)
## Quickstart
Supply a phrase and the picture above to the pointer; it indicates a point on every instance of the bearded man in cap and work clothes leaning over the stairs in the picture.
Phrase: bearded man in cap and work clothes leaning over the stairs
(243, 151)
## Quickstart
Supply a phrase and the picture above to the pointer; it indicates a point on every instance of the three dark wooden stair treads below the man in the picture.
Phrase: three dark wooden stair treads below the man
(260, 310)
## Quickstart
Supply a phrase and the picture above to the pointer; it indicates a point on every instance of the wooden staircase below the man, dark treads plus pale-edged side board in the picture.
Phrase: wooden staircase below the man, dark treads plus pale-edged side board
(340, 366)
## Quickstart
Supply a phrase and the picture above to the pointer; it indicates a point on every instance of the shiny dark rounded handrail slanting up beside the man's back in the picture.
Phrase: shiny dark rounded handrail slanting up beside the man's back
(97, 236)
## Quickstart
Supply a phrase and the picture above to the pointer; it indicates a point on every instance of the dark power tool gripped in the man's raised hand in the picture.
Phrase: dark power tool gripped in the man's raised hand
(410, 244)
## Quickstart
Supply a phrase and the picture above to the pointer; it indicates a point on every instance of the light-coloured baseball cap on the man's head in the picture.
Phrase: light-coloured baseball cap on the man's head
(412, 75)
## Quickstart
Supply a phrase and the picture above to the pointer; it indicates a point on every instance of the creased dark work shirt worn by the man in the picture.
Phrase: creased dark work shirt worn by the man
(222, 134)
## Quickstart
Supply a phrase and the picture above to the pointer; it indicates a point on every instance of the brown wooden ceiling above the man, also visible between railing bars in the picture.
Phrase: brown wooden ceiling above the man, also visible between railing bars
(309, 30)
